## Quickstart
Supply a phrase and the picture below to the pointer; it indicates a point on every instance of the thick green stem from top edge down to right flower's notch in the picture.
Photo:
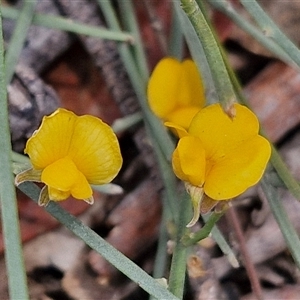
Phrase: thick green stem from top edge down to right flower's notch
(212, 52)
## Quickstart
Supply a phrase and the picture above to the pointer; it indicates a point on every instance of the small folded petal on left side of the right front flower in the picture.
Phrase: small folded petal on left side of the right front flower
(189, 160)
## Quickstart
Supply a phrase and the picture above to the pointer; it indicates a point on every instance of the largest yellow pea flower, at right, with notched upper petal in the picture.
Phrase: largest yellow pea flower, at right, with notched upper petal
(219, 156)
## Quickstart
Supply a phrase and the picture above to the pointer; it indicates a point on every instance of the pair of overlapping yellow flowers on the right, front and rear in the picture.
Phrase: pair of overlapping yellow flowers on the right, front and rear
(218, 156)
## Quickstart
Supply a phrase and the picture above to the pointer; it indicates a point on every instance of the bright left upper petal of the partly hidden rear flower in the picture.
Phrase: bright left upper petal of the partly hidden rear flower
(163, 85)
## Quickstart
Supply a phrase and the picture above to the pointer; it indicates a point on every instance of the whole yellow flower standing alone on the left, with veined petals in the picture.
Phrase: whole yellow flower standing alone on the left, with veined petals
(70, 152)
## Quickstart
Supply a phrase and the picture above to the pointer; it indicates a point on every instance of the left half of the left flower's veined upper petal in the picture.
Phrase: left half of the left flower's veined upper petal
(52, 140)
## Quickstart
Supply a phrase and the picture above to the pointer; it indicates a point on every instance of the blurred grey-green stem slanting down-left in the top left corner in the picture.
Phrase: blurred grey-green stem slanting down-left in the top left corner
(18, 38)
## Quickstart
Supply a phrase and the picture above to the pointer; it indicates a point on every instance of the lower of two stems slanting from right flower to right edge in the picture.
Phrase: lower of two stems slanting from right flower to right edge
(288, 231)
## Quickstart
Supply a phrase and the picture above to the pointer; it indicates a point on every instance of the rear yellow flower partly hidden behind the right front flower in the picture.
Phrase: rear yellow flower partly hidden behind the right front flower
(175, 91)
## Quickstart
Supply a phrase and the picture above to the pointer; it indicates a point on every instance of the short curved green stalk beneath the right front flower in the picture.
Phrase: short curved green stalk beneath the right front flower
(204, 232)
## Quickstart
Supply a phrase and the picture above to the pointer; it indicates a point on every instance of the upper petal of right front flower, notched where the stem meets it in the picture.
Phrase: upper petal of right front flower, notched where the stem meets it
(219, 133)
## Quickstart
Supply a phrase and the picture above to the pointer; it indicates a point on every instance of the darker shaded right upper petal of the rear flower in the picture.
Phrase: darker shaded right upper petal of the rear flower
(190, 90)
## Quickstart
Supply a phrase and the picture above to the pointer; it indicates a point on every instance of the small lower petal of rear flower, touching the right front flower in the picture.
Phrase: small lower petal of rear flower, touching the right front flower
(183, 115)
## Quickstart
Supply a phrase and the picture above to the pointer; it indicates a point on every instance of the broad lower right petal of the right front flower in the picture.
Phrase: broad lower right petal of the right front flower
(240, 169)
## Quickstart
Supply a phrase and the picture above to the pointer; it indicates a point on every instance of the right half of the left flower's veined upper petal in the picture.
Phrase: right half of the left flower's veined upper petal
(95, 150)
